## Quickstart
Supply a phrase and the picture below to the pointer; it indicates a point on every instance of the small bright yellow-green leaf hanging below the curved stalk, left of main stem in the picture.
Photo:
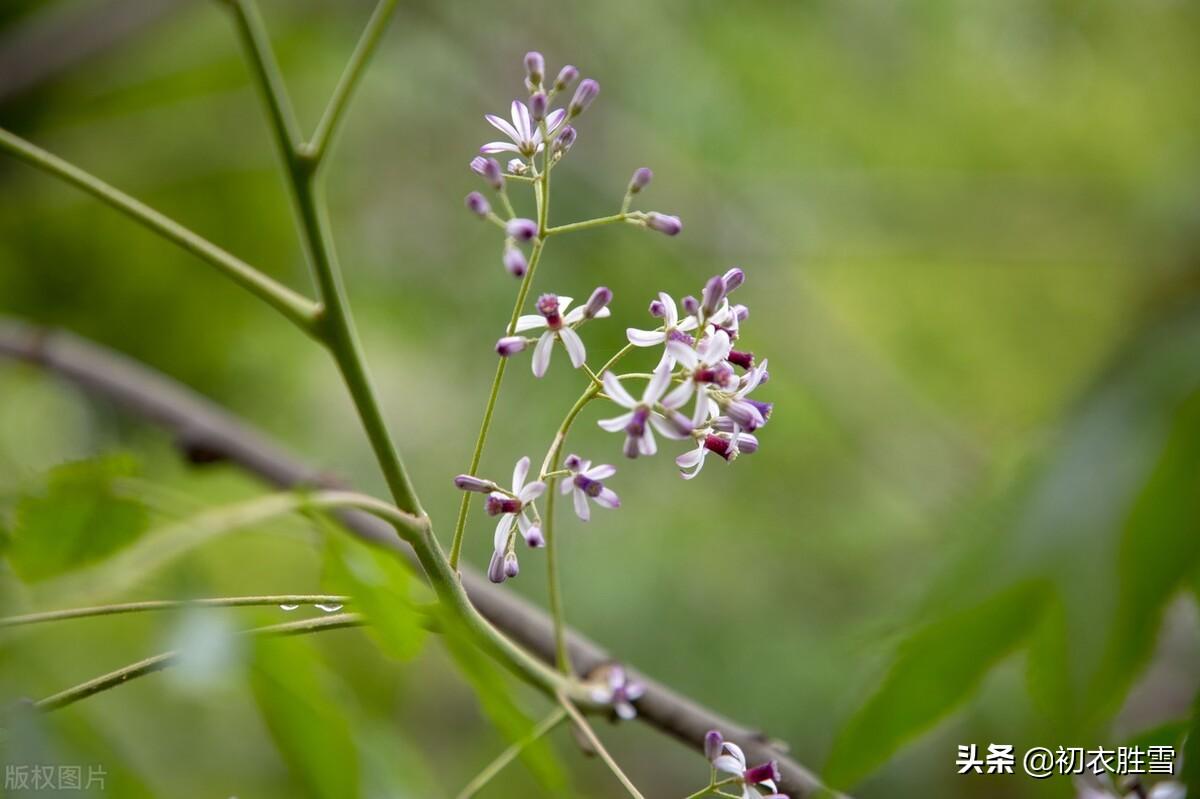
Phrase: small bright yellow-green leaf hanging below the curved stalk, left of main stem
(381, 586)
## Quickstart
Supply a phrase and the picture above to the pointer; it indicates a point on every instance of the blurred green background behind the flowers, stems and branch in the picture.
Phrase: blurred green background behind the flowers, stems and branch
(973, 238)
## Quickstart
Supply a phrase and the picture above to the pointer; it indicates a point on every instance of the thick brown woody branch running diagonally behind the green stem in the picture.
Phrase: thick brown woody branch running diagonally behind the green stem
(207, 432)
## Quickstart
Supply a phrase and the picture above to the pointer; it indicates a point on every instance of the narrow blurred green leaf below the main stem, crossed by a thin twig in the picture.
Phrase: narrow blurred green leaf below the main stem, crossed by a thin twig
(499, 706)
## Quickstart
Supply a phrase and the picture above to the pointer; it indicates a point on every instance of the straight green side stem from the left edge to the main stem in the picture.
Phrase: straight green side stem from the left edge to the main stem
(297, 309)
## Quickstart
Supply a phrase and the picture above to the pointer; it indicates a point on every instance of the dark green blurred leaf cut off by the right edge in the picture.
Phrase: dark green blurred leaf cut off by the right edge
(1160, 550)
